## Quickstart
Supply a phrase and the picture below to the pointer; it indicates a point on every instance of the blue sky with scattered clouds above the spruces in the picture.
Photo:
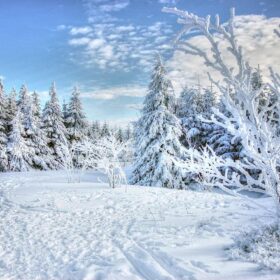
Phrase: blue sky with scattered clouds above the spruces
(104, 46)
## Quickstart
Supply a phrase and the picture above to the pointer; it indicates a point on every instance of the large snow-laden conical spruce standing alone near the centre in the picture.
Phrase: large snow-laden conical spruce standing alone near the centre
(157, 137)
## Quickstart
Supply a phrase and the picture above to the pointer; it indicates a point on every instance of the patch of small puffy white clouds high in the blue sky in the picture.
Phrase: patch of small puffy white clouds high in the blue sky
(115, 46)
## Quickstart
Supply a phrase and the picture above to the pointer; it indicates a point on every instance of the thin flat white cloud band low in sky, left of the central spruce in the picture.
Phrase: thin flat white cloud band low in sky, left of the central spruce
(114, 92)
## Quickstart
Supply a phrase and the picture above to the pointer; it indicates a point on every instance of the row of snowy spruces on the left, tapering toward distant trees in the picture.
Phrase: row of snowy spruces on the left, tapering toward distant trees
(31, 138)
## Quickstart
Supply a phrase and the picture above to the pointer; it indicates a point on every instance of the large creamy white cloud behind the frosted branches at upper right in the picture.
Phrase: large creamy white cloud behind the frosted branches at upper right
(254, 33)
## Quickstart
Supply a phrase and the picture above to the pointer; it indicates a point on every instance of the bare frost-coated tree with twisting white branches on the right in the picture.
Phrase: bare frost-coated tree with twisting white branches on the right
(254, 124)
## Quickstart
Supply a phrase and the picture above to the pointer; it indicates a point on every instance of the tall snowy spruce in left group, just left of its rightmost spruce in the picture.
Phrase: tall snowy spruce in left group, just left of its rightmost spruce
(54, 129)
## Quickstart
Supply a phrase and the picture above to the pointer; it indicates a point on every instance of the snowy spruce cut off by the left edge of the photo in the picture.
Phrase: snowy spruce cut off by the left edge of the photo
(3, 130)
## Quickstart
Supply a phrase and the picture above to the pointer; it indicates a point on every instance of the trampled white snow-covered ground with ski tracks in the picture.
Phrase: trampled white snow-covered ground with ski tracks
(61, 230)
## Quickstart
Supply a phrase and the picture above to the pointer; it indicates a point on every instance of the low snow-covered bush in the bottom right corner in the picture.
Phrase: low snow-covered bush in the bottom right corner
(261, 246)
